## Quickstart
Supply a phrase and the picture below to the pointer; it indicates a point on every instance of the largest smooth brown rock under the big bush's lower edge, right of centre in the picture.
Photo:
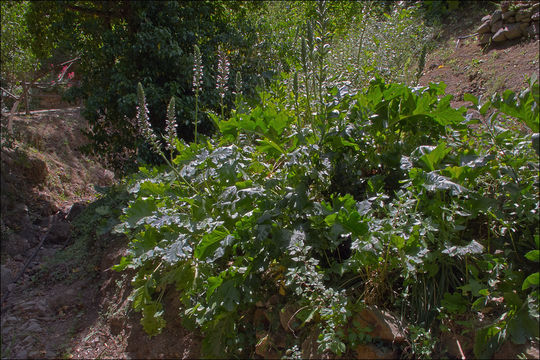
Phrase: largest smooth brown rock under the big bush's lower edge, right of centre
(385, 326)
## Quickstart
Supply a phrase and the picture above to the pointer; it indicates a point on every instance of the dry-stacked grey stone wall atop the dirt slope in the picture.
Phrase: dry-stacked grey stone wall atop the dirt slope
(515, 19)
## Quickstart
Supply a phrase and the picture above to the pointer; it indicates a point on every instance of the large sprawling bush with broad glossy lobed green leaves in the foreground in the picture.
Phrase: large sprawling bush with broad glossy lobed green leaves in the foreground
(388, 197)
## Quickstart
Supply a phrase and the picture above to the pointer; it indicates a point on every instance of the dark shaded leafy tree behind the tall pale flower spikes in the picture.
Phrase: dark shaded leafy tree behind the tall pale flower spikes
(122, 43)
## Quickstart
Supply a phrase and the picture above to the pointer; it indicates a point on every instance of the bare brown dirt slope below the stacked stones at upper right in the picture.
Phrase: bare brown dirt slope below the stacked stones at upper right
(466, 67)
